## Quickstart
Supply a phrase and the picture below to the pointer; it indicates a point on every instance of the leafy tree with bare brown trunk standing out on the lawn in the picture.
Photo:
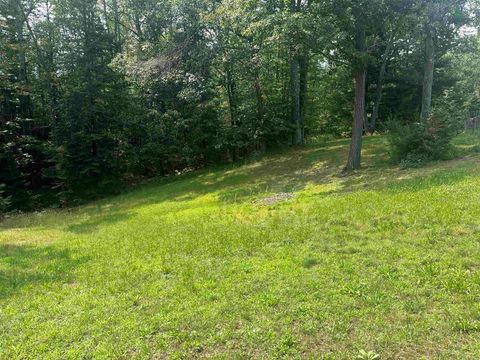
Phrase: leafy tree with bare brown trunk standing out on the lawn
(360, 26)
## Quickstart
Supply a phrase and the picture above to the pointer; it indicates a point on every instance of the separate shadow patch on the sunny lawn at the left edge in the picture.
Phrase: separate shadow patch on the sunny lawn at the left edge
(30, 266)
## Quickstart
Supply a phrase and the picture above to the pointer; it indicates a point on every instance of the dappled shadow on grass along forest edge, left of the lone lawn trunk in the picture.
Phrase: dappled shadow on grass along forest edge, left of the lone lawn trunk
(286, 170)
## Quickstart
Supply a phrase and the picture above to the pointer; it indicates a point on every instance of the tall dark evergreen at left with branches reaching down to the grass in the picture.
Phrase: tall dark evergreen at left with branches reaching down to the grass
(93, 105)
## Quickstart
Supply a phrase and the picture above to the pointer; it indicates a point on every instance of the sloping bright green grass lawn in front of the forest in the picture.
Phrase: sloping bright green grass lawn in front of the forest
(384, 260)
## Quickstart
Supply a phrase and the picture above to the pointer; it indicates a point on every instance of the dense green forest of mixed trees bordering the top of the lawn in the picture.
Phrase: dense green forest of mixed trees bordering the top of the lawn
(98, 94)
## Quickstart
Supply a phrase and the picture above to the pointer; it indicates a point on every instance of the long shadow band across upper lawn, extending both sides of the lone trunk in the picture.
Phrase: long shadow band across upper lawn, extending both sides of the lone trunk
(289, 170)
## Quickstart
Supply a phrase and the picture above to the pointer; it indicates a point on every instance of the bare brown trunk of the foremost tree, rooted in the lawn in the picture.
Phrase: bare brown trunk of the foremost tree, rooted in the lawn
(360, 68)
